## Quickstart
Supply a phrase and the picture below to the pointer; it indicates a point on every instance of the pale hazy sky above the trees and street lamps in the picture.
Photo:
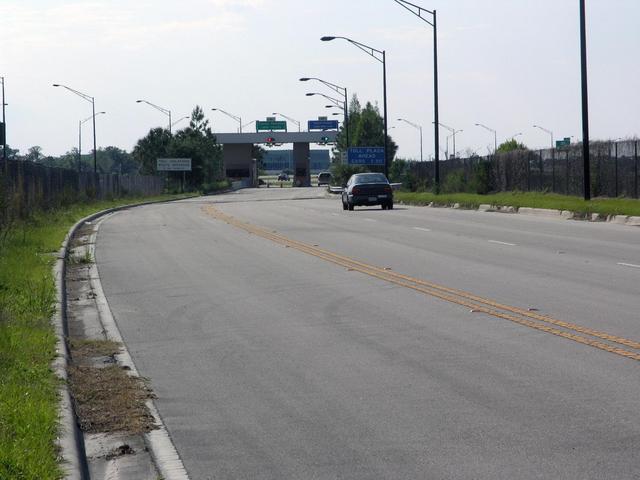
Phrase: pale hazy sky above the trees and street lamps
(508, 64)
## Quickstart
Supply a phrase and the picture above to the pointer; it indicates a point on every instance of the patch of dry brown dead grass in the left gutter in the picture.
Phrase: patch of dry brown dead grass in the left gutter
(108, 399)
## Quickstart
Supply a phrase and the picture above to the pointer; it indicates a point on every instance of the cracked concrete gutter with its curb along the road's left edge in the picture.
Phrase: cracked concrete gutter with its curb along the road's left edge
(166, 463)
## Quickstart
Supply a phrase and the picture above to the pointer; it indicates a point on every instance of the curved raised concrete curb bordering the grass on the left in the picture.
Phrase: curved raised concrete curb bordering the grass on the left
(70, 443)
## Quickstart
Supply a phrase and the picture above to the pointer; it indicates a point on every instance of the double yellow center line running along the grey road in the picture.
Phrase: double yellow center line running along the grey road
(571, 331)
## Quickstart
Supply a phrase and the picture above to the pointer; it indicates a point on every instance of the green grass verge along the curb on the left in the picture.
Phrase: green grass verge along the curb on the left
(28, 386)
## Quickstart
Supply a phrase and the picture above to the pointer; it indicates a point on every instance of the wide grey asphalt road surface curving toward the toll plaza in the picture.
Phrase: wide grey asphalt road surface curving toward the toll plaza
(273, 360)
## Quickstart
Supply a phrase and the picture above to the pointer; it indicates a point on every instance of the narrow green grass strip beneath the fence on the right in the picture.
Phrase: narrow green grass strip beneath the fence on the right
(604, 206)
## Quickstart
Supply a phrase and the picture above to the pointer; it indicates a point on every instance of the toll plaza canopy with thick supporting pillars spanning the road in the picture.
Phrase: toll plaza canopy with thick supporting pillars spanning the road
(239, 162)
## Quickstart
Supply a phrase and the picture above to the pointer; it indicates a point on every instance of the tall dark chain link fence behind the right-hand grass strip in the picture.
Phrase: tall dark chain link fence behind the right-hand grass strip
(614, 171)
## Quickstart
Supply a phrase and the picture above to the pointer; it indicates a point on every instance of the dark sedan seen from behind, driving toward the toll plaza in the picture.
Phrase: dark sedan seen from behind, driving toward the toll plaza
(367, 189)
